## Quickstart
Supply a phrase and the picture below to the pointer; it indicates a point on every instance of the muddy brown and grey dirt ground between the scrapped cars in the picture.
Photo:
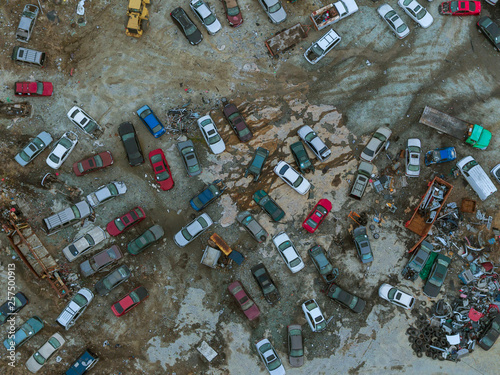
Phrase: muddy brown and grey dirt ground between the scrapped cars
(369, 79)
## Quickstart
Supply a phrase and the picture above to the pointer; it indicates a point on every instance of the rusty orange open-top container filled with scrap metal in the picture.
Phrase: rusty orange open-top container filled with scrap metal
(428, 208)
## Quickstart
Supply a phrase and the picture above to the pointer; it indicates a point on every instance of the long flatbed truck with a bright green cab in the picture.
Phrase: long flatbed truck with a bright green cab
(472, 134)
